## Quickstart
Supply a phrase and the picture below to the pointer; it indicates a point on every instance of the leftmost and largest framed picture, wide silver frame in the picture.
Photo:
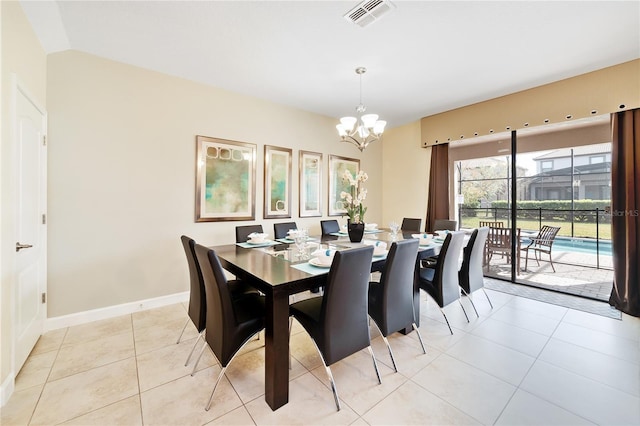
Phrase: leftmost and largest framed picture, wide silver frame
(225, 180)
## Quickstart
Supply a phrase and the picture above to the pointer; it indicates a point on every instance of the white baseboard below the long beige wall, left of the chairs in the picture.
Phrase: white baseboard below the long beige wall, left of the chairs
(78, 318)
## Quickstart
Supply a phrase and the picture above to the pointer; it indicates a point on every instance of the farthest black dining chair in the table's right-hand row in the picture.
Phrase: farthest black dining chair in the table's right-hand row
(471, 276)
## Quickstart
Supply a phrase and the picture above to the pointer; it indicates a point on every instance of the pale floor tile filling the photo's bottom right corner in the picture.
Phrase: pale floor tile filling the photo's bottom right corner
(581, 396)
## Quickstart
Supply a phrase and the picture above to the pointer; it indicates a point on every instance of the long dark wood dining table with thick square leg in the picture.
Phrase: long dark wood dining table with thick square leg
(277, 279)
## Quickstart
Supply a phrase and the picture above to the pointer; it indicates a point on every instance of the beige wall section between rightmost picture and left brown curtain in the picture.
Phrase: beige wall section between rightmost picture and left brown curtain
(405, 169)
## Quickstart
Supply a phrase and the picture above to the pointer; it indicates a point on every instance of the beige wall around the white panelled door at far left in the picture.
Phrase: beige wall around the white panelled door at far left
(23, 57)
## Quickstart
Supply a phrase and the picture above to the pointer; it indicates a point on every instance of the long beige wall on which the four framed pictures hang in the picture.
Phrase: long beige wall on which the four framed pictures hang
(122, 175)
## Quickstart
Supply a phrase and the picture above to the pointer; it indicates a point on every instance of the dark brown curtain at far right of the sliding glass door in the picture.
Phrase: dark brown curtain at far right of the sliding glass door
(625, 202)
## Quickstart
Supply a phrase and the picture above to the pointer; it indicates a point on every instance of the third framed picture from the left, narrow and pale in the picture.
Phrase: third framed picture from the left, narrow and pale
(310, 183)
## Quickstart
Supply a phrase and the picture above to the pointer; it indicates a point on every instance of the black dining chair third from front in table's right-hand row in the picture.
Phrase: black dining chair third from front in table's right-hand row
(441, 282)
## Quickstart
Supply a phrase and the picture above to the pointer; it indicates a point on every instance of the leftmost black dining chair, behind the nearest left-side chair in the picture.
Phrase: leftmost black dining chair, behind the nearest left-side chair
(197, 310)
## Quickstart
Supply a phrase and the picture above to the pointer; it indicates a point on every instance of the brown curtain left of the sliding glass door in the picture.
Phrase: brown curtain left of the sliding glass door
(438, 199)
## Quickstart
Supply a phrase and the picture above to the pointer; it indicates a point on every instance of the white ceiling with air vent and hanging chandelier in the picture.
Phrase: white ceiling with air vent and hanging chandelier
(423, 58)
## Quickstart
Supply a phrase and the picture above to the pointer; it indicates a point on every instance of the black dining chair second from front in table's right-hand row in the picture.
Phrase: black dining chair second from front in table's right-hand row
(391, 299)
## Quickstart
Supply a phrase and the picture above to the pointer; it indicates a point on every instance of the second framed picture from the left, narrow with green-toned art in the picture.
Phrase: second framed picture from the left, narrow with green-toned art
(277, 182)
